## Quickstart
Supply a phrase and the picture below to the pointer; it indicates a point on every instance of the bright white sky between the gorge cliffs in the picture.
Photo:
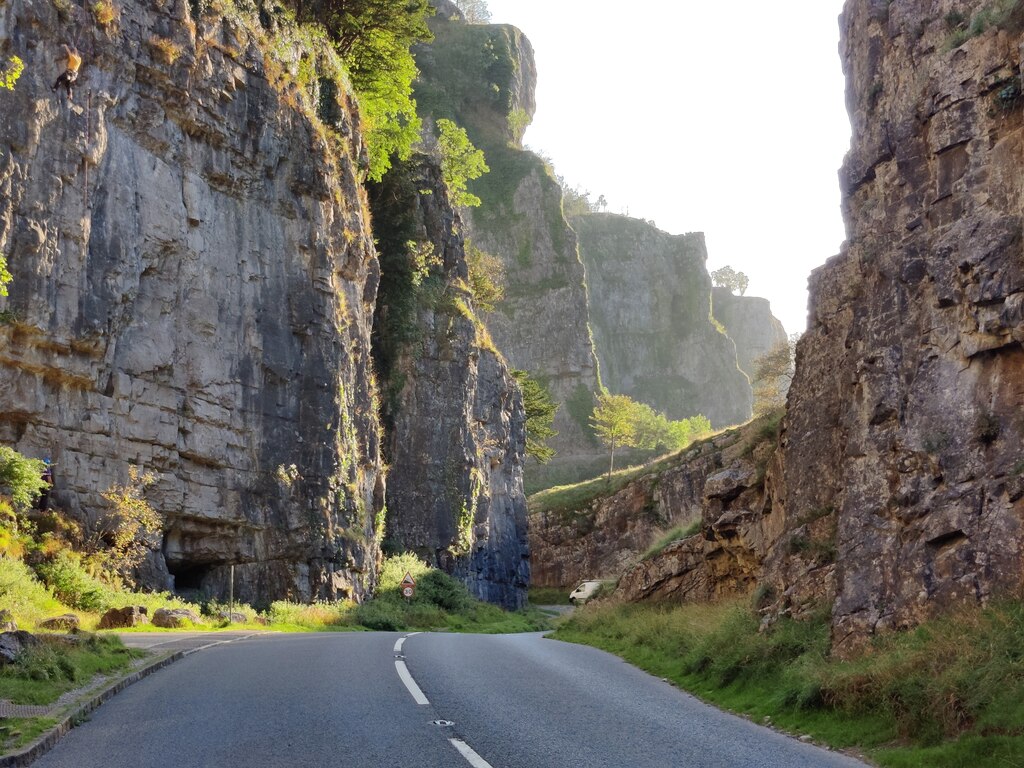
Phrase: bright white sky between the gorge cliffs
(722, 118)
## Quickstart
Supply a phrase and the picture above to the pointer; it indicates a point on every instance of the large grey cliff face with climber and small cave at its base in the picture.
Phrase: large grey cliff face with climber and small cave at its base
(193, 293)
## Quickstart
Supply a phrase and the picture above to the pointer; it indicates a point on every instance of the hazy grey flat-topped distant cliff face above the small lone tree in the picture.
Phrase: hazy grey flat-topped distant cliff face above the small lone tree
(651, 311)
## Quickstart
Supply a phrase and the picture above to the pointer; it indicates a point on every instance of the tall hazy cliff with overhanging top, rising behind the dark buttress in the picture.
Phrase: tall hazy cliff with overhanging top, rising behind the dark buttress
(483, 77)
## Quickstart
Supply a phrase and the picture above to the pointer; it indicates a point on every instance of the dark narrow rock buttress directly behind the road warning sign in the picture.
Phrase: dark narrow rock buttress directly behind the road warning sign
(456, 422)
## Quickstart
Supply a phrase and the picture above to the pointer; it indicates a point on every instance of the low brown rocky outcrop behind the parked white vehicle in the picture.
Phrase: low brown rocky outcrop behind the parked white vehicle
(717, 484)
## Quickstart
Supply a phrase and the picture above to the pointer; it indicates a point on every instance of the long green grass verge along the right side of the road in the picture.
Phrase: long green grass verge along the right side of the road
(949, 695)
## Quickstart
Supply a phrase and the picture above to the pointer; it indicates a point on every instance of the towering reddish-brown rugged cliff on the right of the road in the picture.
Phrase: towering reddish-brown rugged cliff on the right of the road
(906, 419)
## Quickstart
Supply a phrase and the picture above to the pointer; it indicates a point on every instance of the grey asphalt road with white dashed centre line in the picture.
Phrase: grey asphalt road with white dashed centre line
(368, 700)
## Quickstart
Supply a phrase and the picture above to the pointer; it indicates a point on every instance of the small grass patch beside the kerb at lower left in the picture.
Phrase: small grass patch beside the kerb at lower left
(42, 673)
